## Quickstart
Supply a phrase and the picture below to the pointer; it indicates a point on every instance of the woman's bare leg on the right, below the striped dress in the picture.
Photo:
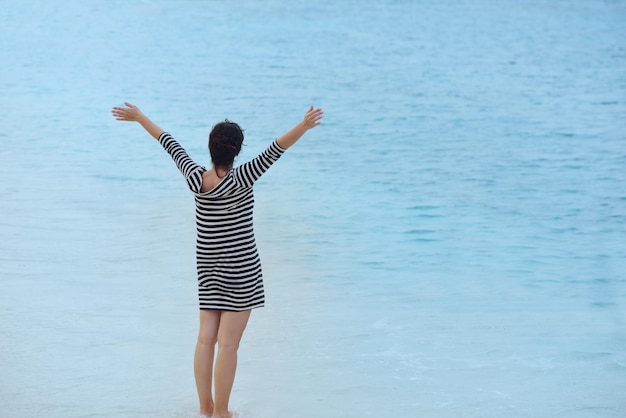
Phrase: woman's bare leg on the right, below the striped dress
(232, 325)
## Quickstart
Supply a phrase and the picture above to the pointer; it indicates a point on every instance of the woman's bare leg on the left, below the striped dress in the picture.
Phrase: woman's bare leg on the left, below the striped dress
(203, 359)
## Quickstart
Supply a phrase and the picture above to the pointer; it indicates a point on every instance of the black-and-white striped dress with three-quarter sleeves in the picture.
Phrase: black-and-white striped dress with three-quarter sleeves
(229, 267)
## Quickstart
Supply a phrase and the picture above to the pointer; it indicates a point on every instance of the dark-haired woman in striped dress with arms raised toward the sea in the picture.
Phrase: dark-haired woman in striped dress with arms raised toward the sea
(230, 283)
